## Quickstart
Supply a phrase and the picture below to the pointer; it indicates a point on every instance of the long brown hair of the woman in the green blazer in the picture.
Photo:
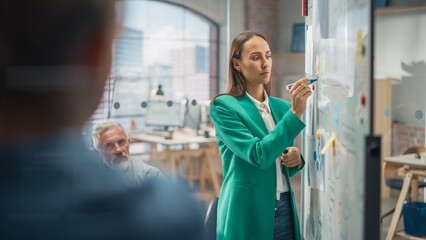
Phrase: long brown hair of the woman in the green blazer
(237, 83)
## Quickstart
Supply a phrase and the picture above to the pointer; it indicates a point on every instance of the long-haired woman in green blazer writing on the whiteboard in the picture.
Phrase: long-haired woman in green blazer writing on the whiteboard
(253, 130)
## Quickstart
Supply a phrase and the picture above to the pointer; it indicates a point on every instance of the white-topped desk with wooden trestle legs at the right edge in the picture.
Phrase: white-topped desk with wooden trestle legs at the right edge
(411, 170)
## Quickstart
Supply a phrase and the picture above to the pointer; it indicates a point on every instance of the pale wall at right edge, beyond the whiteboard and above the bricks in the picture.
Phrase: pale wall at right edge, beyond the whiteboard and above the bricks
(400, 37)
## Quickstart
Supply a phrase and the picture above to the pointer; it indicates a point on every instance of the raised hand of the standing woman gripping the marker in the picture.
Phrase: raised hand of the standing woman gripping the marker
(299, 94)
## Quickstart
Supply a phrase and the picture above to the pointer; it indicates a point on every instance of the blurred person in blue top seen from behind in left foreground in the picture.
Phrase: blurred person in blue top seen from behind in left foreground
(55, 56)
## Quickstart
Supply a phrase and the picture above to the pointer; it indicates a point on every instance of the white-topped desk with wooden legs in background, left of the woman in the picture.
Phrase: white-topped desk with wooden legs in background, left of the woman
(172, 157)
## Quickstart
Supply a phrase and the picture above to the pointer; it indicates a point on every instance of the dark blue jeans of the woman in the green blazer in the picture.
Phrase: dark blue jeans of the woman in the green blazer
(283, 226)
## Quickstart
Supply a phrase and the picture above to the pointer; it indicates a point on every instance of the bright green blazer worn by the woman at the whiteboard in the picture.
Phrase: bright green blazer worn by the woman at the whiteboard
(246, 207)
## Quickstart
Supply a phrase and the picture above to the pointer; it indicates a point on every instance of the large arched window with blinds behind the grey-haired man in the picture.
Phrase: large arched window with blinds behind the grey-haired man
(160, 43)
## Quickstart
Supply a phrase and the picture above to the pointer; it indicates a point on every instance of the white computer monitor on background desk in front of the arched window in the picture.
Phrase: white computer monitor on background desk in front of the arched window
(162, 113)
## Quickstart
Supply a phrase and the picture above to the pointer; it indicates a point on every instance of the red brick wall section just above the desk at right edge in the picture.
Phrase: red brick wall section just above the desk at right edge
(404, 136)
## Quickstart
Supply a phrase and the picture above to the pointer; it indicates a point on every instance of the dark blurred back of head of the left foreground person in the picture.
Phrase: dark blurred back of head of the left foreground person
(55, 57)
